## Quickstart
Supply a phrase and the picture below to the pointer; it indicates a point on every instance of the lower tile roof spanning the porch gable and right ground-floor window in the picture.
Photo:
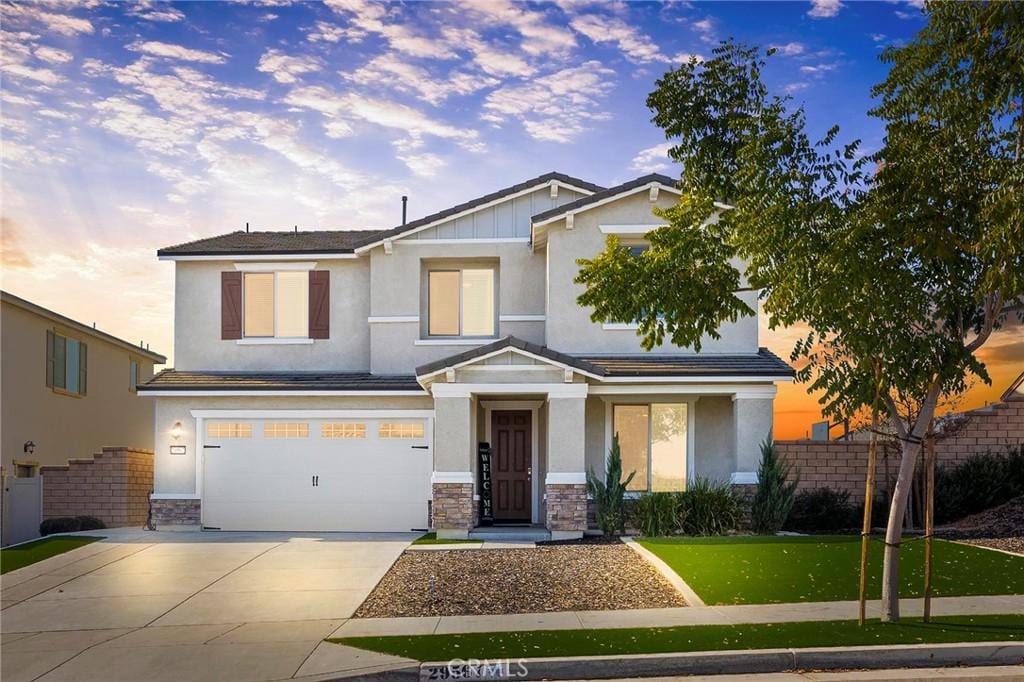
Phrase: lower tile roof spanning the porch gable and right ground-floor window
(764, 364)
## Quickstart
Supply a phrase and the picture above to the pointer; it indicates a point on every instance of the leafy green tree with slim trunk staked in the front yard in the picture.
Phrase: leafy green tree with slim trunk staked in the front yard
(901, 265)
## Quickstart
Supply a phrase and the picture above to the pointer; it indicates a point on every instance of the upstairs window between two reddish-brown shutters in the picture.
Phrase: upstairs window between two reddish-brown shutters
(276, 305)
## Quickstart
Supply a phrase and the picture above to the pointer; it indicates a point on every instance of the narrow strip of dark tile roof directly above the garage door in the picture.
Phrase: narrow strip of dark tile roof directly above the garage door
(177, 380)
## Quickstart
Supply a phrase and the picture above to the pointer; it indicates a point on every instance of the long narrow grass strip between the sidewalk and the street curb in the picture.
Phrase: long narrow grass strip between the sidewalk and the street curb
(694, 638)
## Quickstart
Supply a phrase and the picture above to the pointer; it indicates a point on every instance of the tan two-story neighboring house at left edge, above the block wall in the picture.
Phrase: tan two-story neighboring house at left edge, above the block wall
(68, 389)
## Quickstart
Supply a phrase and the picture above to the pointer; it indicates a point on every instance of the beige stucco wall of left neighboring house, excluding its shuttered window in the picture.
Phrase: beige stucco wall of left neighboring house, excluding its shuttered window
(67, 427)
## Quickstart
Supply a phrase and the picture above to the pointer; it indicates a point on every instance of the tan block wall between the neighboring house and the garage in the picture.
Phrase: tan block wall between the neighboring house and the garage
(114, 486)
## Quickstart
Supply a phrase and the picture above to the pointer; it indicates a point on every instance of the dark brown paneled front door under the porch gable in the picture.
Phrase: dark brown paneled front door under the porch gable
(510, 436)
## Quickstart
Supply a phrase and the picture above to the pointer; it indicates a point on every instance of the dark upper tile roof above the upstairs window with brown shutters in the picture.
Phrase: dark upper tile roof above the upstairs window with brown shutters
(340, 241)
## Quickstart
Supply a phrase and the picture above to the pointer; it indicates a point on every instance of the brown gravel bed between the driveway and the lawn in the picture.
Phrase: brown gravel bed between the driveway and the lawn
(587, 577)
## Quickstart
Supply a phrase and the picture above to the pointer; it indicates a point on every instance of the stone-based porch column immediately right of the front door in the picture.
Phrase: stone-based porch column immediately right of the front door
(566, 486)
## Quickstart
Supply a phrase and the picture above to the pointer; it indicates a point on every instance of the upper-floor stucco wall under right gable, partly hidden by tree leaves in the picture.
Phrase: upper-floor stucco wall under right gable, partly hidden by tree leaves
(569, 325)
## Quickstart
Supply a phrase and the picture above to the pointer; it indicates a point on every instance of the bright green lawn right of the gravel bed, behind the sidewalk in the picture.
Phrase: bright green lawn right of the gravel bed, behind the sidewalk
(775, 570)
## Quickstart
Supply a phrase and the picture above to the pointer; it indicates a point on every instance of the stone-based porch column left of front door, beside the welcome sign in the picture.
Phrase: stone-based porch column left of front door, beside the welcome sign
(452, 509)
